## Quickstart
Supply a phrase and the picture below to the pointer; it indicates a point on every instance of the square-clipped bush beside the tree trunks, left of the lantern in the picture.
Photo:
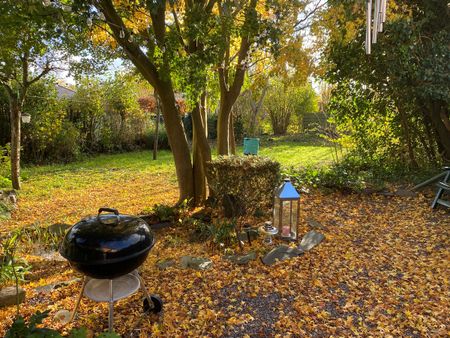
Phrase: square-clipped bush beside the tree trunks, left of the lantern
(243, 184)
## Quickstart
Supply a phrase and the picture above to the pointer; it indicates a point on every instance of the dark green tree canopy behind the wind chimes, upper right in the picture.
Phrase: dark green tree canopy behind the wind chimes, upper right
(408, 71)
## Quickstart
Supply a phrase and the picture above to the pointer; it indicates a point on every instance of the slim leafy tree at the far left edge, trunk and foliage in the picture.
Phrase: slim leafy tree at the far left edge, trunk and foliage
(30, 47)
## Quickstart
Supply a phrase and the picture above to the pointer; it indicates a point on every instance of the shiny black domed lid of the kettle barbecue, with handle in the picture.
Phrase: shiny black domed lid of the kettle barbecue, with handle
(107, 238)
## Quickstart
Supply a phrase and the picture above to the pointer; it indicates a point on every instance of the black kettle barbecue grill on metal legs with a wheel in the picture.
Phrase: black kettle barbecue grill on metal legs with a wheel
(107, 249)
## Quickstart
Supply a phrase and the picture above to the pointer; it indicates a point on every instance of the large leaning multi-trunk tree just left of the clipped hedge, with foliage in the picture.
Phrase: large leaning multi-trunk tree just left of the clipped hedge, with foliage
(156, 38)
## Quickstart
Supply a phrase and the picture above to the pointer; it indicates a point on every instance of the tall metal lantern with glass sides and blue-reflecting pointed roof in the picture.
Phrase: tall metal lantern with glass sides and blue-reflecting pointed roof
(286, 211)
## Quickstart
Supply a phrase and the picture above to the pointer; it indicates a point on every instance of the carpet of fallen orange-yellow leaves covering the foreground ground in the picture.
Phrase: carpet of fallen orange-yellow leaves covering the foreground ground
(382, 270)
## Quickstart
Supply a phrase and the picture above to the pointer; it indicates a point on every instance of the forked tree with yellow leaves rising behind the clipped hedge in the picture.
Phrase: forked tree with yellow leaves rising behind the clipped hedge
(249, 27)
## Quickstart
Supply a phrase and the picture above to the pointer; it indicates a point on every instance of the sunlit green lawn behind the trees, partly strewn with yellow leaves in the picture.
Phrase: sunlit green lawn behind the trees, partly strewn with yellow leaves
(130, 182)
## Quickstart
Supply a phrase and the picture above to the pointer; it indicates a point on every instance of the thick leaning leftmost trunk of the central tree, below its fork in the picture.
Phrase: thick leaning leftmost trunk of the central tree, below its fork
(177, 141)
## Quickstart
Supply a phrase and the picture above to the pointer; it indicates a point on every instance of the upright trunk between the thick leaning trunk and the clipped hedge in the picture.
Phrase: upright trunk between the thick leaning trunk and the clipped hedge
(201, 151)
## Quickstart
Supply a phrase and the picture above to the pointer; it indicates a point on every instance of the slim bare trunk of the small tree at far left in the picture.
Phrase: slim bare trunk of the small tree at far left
(15, 112)
